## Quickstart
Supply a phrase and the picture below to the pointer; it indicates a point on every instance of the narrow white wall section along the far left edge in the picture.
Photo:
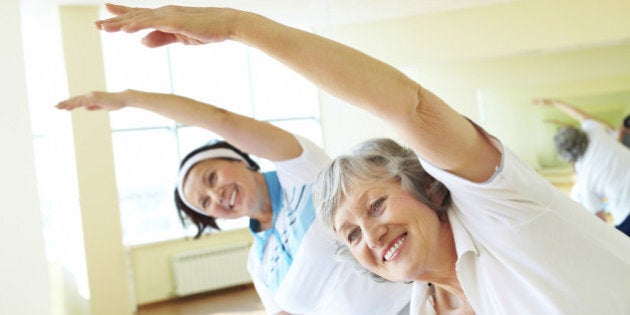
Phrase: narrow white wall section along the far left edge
(24, 287)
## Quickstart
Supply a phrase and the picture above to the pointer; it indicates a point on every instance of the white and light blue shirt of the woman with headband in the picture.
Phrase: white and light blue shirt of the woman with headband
(293, 265)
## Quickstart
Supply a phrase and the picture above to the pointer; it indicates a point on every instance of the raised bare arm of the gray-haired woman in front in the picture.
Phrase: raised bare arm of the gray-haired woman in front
(430, 126)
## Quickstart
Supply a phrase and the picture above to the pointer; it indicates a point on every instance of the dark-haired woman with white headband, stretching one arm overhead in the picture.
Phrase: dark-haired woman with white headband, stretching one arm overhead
(291, 261)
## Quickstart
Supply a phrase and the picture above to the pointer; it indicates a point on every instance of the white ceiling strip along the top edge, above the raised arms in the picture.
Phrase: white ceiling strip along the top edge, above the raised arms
(307, 12)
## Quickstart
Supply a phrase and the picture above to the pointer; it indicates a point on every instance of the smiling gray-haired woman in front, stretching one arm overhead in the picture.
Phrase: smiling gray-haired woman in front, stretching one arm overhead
(475, 228)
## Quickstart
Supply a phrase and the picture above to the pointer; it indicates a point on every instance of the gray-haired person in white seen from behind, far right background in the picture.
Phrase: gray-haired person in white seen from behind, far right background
(601, 164)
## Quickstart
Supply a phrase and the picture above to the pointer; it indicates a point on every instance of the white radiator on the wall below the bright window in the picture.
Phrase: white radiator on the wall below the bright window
(210, 269)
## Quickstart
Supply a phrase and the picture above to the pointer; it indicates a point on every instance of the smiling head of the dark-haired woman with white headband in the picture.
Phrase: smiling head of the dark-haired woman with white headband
(218, 180)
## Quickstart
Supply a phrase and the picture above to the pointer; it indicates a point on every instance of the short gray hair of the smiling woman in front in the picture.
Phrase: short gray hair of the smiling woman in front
(375, 160)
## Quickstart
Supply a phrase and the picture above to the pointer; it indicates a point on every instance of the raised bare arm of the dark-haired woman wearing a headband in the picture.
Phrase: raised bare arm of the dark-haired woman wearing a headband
(256, 137)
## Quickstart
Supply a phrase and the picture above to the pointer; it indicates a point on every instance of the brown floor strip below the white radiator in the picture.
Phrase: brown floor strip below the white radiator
(241, 300)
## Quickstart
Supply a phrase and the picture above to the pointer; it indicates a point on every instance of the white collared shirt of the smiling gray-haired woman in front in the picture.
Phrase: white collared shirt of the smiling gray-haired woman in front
(524, 247)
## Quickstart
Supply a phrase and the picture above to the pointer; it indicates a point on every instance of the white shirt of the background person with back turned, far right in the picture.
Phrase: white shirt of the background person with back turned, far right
(603, 172)
